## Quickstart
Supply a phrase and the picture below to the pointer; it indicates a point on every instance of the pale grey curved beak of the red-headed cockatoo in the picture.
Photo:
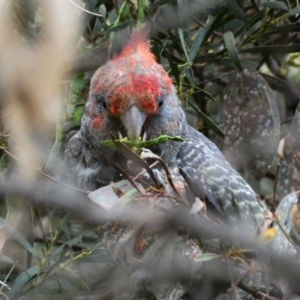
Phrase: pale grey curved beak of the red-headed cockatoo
(133, 120)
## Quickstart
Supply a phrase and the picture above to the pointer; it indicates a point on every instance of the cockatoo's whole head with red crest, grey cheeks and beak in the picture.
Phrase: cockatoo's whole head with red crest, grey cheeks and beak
(134, 95)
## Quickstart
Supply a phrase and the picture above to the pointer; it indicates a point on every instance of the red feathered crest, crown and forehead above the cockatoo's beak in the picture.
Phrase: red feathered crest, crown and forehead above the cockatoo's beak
(133, 77)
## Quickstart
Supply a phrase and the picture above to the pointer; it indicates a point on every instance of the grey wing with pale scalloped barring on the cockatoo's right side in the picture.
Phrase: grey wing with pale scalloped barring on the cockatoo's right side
(207, 172)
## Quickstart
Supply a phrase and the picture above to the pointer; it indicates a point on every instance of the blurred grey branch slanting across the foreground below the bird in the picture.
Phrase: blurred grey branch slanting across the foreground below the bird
(287, 269)
